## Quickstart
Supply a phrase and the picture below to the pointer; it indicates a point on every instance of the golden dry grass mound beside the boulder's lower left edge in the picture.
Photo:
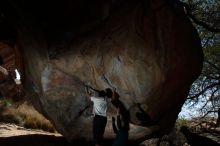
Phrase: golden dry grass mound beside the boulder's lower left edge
(25, 115)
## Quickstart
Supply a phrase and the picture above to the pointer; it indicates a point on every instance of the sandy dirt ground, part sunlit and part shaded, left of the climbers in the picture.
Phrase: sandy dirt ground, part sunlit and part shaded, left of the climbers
(13, 135)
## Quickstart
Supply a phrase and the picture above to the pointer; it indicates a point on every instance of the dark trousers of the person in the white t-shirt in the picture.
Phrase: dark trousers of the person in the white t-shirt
(99, 123)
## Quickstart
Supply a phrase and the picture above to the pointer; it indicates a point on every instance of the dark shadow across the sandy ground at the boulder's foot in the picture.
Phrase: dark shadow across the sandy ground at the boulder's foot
(47, 140)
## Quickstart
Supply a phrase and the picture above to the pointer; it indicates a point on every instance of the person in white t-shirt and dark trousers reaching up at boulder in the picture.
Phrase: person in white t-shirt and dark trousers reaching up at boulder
(100, 104)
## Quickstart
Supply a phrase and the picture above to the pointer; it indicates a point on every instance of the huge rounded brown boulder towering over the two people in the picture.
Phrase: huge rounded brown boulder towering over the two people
(148, 51)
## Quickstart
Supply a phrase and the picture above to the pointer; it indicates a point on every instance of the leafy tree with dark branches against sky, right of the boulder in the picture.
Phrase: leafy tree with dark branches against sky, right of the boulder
(205, 92)
